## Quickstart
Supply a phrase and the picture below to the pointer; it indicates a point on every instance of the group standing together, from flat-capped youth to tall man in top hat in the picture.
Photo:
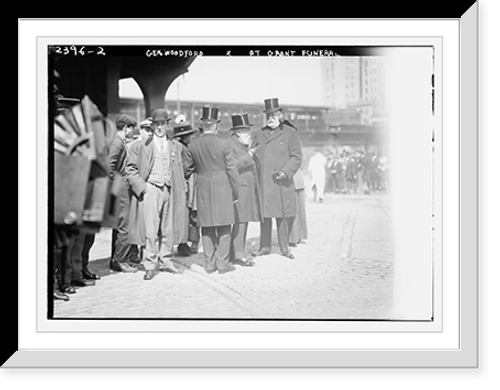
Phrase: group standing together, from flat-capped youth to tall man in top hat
(176, 186)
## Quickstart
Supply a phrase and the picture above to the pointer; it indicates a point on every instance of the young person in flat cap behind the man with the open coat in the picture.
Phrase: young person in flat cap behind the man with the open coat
(118, 152)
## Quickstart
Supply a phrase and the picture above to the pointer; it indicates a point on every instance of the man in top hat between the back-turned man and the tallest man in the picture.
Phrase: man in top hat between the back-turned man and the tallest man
(248, 207)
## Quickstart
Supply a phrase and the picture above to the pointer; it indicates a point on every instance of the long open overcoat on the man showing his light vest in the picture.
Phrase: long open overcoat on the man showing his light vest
(139, 165)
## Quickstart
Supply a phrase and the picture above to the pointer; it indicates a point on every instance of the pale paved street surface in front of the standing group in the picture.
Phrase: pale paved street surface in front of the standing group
(343, 271)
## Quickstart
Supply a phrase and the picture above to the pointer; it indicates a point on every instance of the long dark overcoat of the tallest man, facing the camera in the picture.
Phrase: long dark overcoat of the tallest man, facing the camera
(279, 150)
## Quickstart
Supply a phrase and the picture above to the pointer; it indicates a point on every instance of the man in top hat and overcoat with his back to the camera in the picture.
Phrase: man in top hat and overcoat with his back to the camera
(217, 190)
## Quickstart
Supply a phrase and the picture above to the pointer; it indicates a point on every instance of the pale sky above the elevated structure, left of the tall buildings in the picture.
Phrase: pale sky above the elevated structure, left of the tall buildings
(294, 80)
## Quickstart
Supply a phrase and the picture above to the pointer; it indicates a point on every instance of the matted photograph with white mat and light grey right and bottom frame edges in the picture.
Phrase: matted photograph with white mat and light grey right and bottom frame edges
(247, 193)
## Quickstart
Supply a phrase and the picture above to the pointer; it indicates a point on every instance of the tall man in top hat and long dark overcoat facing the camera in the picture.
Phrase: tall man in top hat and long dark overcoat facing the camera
(280, 156)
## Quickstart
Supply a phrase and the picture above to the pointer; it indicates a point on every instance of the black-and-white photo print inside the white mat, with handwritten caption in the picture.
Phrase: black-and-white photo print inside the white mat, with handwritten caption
(240, 182)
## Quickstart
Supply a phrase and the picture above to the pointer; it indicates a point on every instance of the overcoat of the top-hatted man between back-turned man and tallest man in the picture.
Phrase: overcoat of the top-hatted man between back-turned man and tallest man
(247, 209)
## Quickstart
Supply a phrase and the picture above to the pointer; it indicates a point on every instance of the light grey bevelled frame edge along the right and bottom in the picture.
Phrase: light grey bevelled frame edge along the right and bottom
(341, 357)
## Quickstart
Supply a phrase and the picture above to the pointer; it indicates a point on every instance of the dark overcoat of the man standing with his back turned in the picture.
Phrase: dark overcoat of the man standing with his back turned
(217, 185)
